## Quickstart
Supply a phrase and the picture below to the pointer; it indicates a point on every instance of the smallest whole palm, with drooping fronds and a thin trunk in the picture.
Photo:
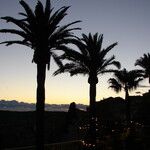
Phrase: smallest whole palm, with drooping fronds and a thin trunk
(127, 81)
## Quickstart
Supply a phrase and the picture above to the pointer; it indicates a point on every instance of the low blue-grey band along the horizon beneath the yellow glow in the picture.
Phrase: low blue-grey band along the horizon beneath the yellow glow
(14, 105)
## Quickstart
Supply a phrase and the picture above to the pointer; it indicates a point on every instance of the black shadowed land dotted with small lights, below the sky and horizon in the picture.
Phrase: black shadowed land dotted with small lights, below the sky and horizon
(17, 129)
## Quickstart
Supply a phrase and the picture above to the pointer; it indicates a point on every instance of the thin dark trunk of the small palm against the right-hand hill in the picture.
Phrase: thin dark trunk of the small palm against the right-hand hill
(128, 112)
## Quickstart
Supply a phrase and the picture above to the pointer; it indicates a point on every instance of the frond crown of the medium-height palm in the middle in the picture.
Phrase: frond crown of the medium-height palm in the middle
(90, 56)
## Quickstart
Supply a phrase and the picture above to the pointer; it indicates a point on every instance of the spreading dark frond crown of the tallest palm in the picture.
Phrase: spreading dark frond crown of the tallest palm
(40, 29)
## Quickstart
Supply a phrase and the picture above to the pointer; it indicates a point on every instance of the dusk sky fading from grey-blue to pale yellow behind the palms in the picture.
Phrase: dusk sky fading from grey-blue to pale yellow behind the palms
(124, 21)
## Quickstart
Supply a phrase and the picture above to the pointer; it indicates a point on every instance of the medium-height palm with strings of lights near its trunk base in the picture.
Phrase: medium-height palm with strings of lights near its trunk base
(90, 59)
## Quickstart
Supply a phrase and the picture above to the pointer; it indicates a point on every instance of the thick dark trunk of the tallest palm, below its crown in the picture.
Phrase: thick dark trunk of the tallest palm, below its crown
(40, 104)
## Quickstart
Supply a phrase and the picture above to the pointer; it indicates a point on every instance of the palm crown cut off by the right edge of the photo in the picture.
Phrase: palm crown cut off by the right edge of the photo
(144, 63)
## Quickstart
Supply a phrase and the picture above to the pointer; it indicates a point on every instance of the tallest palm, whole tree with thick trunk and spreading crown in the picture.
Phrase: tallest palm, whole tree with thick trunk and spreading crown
(41, 31)
